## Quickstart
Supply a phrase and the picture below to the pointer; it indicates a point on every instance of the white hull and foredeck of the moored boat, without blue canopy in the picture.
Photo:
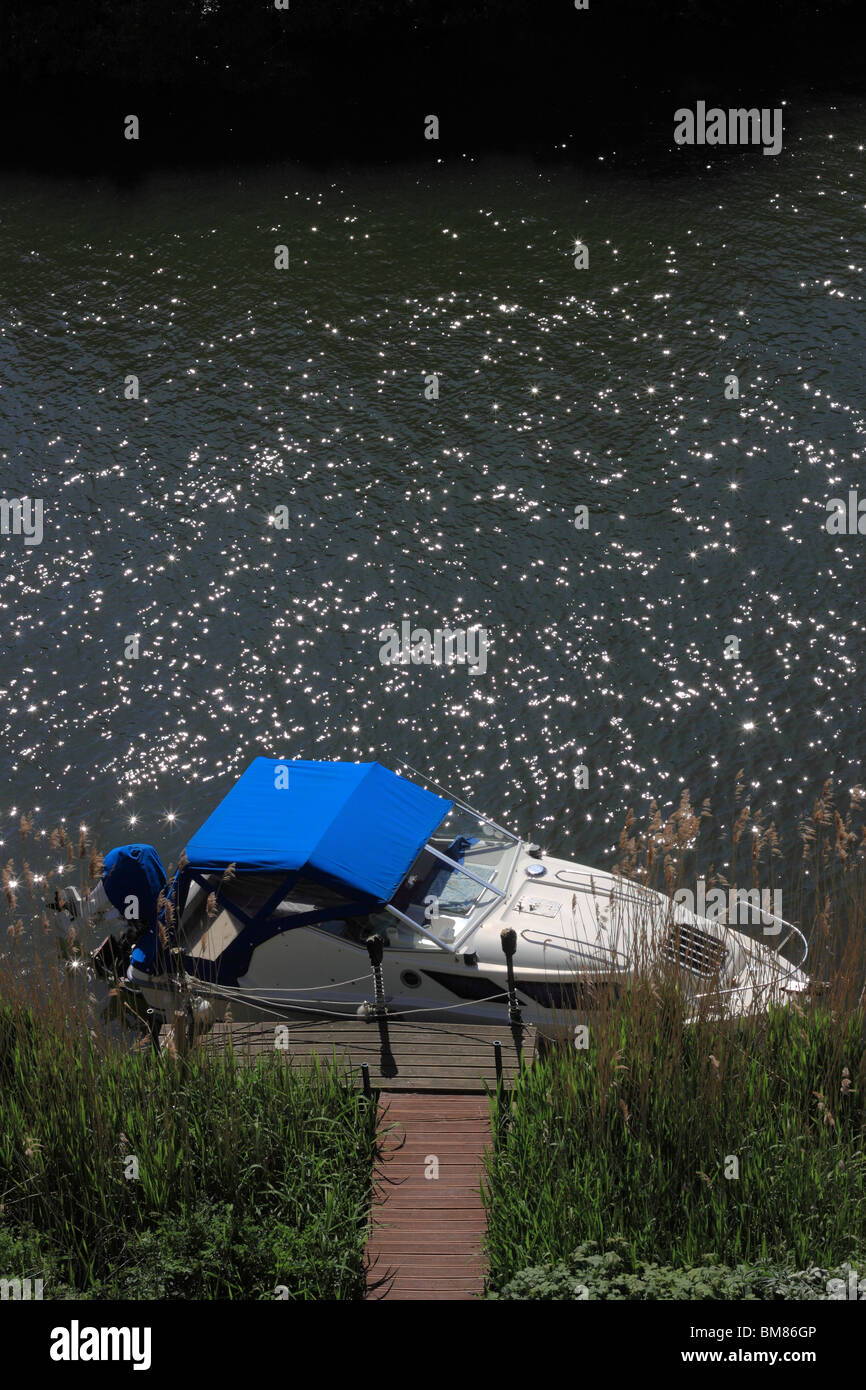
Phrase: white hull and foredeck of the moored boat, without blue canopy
(579, 936)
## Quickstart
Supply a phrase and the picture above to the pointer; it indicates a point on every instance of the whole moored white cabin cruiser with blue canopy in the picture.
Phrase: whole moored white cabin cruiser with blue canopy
(333, 890)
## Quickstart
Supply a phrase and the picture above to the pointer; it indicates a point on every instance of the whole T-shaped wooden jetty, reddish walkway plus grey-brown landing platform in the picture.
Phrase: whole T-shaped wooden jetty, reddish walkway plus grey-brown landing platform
(433, 1082)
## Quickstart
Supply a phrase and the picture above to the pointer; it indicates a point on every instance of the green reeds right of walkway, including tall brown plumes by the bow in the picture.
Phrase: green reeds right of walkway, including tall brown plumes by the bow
(693, 1140)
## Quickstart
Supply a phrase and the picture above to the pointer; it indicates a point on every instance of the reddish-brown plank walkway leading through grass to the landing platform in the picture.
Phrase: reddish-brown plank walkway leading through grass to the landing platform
(427, 1232)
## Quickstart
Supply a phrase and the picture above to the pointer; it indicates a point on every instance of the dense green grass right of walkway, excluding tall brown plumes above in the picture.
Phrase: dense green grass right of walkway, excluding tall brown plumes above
(632, 1139)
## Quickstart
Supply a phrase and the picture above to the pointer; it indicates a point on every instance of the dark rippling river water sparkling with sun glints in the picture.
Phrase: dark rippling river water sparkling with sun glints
(305, 389)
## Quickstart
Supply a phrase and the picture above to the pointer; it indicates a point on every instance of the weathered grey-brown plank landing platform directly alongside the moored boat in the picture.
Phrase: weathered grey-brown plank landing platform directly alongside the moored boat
(401, 1056)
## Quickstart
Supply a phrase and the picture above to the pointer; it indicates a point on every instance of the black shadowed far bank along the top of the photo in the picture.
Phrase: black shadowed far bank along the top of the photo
(219, 80)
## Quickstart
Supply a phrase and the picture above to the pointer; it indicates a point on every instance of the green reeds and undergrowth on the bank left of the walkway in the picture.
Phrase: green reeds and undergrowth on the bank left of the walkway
(250, 1178)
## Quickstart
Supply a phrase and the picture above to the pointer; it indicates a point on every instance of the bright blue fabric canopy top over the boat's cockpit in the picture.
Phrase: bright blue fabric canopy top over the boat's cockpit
(358, 825)
